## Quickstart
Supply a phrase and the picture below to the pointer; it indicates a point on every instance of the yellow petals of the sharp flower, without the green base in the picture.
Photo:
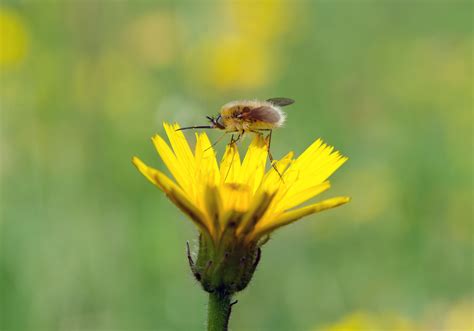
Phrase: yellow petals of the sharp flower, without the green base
(241, 194)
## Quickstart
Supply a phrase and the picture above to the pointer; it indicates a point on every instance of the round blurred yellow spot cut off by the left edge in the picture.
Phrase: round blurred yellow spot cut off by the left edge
(13, 38)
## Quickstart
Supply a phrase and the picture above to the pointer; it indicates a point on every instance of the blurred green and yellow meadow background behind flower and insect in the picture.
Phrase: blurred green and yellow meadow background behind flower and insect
(88, 244)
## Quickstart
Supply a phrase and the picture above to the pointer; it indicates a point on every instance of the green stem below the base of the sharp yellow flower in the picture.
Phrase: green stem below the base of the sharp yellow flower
(218, 311)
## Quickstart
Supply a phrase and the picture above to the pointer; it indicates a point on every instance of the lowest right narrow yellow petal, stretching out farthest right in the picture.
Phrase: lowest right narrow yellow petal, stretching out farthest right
(294, 215)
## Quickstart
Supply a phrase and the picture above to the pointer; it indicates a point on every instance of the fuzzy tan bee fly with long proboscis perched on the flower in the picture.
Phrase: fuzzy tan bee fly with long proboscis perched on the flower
(240, 117)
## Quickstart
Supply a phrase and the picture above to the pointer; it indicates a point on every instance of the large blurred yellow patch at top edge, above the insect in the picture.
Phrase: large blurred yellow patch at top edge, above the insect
(243, 50)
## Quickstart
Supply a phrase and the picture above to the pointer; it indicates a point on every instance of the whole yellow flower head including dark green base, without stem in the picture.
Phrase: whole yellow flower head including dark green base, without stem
(237, 204)
